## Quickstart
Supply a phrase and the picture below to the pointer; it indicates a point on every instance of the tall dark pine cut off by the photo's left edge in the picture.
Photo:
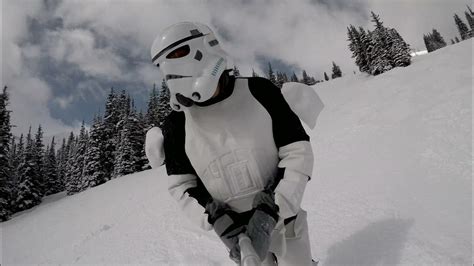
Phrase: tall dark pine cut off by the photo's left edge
(6, 171)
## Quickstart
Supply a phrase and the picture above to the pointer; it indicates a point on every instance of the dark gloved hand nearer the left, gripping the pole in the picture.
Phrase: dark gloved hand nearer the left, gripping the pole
(227, 226)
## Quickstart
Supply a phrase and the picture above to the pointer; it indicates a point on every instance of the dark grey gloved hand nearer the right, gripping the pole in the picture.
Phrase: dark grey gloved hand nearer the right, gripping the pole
(262, 222)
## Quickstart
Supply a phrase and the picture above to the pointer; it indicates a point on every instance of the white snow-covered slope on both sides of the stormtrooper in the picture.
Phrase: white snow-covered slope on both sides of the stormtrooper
(392, 185)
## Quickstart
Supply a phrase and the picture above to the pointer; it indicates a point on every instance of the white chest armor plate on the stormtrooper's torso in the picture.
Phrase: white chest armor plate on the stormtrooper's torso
(230, 145)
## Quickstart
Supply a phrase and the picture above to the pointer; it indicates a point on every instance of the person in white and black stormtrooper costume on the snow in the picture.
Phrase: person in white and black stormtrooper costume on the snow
(237, 156)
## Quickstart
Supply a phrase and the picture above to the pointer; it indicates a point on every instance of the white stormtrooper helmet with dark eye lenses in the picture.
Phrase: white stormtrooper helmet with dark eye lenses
(191, 60)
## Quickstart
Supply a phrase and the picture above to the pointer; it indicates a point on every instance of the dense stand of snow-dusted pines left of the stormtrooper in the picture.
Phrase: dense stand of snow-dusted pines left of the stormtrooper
(113, 146)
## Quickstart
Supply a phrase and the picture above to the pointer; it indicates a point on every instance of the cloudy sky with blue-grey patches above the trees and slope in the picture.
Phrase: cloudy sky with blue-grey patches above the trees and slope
(61, 57)
